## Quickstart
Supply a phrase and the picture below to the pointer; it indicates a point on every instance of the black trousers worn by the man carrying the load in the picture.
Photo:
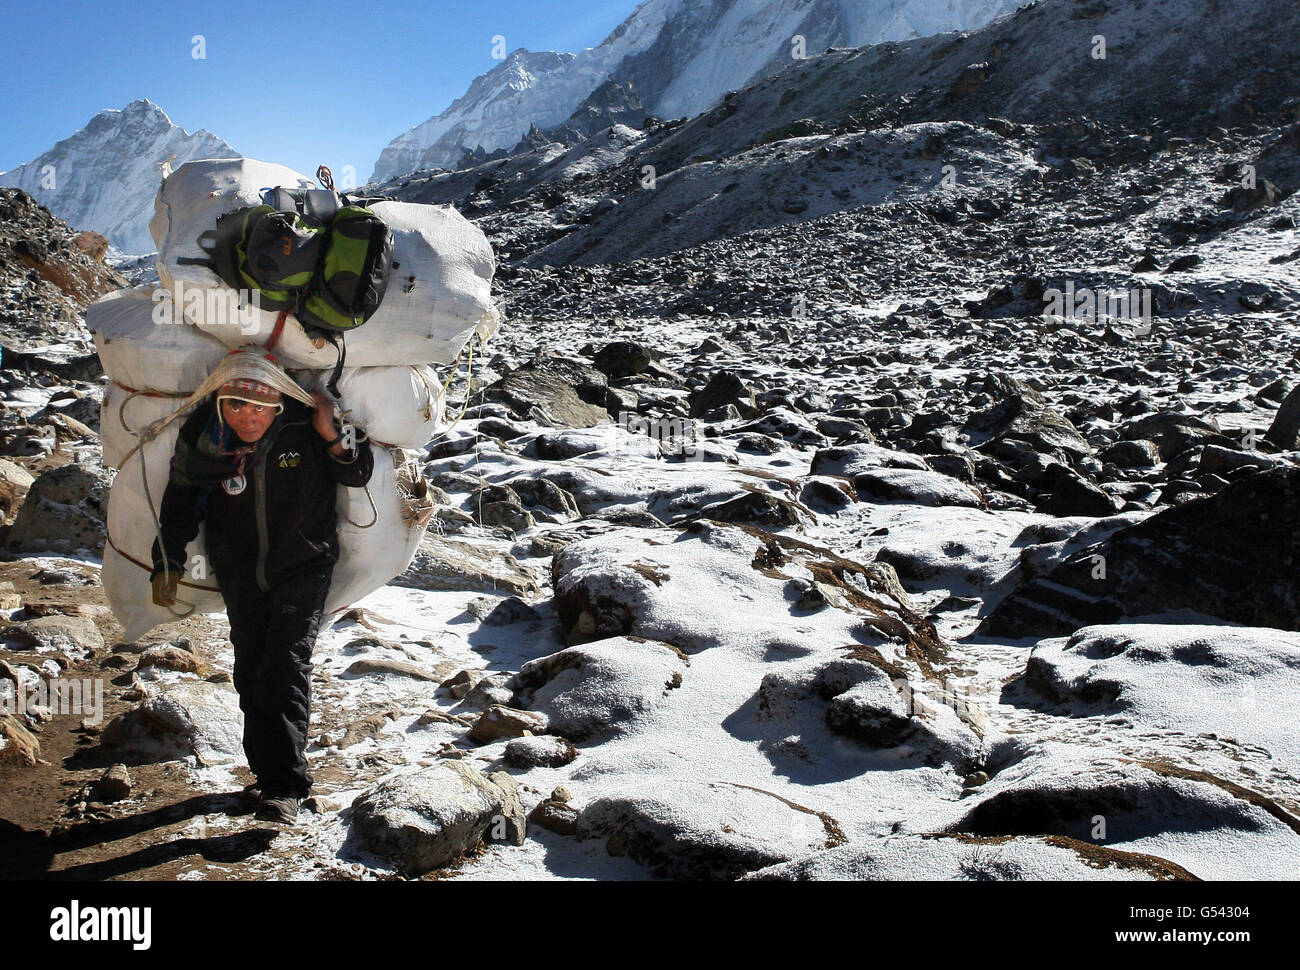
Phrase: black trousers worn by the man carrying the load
(274, 635)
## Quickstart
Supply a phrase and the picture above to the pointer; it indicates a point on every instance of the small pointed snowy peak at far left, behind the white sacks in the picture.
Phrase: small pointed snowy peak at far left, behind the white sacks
(106, 176)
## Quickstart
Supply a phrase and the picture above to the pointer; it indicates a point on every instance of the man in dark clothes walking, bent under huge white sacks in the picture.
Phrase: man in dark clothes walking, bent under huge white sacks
(262, 469)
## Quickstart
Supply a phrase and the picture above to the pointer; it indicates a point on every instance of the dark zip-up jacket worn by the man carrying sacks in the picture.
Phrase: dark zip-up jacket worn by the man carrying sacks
(283, 522)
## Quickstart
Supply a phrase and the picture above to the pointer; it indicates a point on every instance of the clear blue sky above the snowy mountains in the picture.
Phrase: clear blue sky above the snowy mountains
(296, 84)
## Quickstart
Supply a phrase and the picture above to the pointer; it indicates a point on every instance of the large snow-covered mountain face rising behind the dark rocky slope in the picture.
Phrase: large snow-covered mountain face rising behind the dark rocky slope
(679, 57)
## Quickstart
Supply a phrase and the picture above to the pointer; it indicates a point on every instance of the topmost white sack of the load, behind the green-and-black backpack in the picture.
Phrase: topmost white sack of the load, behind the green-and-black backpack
(439, 293)
